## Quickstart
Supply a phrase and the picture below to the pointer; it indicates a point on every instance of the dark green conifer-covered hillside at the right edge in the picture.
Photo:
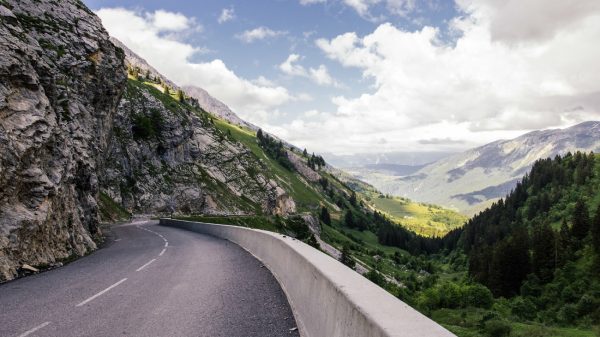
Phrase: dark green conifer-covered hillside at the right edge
(540, 246)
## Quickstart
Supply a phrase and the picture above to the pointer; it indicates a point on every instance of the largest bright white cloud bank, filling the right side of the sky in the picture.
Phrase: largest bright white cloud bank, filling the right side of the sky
(489, 84)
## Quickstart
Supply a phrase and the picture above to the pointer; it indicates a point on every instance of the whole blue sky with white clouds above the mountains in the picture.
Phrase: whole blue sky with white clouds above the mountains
(364, 76)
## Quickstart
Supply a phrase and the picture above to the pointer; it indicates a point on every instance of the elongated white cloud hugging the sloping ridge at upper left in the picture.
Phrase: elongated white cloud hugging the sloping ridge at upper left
(144, 33)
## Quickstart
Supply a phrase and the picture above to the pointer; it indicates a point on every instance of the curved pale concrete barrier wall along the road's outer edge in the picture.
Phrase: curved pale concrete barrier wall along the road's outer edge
(328, 299)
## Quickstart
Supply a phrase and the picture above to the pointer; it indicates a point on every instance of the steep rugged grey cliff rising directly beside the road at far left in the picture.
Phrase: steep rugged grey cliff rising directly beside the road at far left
(60, 82)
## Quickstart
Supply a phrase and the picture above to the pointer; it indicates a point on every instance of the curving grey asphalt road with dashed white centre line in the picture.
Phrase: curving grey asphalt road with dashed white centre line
(150, 281)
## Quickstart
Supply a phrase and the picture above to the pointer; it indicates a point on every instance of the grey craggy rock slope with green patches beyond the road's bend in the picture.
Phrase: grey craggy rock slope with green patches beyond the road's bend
(169, 156)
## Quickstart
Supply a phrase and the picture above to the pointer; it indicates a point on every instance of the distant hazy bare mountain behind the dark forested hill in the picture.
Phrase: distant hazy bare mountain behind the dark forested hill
(471, 180)
